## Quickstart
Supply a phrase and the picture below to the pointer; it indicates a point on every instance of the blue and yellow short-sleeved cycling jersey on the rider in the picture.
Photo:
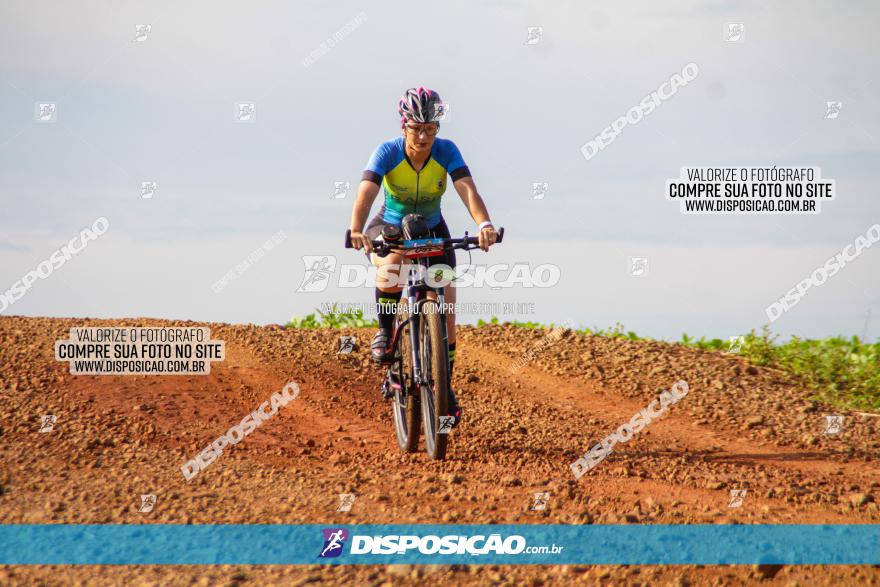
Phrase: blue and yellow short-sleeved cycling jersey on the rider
(408, 191)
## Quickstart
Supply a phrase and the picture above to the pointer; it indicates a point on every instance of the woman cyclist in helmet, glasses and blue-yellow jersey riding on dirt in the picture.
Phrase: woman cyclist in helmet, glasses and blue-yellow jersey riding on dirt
(412, 170)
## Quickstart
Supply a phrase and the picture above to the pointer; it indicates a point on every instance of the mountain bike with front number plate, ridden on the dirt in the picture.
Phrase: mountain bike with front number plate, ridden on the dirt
(417, 378)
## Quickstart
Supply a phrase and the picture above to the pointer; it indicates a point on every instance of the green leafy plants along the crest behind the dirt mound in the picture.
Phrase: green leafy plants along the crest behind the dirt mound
(842, 372)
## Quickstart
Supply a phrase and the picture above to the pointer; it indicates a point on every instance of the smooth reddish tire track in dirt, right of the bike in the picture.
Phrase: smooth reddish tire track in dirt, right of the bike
(667, 439)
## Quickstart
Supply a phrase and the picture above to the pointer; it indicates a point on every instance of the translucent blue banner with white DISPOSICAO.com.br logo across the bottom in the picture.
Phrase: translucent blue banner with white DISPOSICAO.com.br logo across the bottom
(164, 544)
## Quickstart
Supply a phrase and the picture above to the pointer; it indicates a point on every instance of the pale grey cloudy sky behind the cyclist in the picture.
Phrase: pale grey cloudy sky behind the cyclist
(164, 109)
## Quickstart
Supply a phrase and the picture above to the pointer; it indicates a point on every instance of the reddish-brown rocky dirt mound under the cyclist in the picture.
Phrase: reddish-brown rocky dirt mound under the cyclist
(532, 406)
